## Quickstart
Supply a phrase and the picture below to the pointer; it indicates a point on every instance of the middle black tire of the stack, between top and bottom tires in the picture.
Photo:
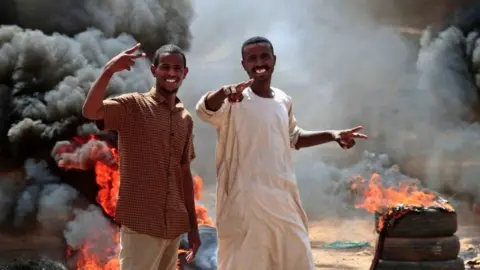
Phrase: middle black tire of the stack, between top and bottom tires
(420, 249)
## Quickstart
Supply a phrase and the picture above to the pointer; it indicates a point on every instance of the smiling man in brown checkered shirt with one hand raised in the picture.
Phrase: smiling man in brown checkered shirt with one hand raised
(156, 199)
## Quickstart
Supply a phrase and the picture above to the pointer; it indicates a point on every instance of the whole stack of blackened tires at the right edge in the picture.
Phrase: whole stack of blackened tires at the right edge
(421, 241)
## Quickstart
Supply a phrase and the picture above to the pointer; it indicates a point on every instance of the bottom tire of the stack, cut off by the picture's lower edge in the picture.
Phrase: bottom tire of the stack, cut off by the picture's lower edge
(457, 264)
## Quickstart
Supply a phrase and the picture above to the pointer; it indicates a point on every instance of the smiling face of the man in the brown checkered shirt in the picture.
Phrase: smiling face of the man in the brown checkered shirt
(170, 71)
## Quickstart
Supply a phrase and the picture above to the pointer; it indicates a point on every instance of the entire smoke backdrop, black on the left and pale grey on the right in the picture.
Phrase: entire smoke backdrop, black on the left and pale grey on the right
(341, 65)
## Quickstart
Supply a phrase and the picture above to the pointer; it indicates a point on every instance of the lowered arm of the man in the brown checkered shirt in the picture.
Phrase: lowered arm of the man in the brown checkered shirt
(189, 193)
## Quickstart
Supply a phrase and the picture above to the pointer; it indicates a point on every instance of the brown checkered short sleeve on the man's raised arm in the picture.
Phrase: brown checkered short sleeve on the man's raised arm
(117, 112)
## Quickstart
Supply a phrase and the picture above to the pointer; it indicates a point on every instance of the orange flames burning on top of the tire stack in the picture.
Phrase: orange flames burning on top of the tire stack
(394, 201)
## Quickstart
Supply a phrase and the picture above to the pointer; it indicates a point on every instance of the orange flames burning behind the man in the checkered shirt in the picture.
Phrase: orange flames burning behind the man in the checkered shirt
(82, 154)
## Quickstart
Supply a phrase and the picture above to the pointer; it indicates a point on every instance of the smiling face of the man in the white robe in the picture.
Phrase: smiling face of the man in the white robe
(258, 60)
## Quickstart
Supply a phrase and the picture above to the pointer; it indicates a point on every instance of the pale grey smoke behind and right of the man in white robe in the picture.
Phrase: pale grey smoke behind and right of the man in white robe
(344, 67)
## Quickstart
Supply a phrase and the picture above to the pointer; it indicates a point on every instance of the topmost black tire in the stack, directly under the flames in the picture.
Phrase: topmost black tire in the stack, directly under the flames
(428, 223)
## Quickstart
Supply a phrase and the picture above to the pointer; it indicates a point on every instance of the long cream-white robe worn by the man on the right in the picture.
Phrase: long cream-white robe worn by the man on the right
(260, 222)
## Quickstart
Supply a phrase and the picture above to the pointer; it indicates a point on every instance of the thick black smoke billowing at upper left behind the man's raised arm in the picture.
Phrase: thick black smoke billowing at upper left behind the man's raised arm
(52, 51)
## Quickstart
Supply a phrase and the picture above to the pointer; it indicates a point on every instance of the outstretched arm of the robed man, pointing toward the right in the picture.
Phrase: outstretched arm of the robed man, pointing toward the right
(300, 138)
